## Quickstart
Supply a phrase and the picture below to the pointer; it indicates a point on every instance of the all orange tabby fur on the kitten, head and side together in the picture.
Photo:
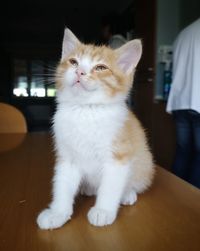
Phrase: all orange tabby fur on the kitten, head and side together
(131, 140)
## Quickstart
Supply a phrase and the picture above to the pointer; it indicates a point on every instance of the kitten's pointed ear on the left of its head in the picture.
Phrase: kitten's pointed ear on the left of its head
(70, 42)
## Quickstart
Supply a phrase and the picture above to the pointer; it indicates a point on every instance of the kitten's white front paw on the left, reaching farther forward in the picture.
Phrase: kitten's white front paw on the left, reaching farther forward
(49, 219)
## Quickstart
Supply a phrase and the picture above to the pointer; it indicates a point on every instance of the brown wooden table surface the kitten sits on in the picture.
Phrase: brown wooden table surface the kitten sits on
(167, 217)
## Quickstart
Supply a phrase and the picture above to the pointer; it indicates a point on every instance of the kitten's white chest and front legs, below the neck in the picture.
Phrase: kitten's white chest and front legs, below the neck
(83, 137)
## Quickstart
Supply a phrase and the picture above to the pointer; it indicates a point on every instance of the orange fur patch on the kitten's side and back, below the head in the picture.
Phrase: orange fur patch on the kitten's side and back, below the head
(130, 142)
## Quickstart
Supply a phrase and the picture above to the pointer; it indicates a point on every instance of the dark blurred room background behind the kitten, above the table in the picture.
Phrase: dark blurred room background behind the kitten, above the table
(30, 48)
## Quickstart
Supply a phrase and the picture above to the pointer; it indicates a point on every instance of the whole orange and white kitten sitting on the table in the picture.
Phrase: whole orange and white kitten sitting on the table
(100, 145)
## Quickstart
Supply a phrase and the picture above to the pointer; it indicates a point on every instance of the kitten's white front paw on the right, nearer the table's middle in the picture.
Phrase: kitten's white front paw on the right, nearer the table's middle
(100, 217)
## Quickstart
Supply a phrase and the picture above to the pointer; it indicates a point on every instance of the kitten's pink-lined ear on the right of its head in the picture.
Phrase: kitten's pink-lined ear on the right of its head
(129, 55)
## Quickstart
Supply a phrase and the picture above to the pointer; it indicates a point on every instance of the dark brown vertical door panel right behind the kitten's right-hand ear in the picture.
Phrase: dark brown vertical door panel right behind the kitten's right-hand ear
(143, 91)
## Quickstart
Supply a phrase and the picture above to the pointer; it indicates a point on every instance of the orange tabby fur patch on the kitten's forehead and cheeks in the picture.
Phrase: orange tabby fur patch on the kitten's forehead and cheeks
(113, 79)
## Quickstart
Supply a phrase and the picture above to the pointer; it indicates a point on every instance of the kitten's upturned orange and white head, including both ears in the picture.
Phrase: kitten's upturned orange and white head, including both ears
(89, 74)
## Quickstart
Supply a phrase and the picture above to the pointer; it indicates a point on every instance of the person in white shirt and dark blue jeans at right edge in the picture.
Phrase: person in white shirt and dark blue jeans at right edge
(184, 103)
